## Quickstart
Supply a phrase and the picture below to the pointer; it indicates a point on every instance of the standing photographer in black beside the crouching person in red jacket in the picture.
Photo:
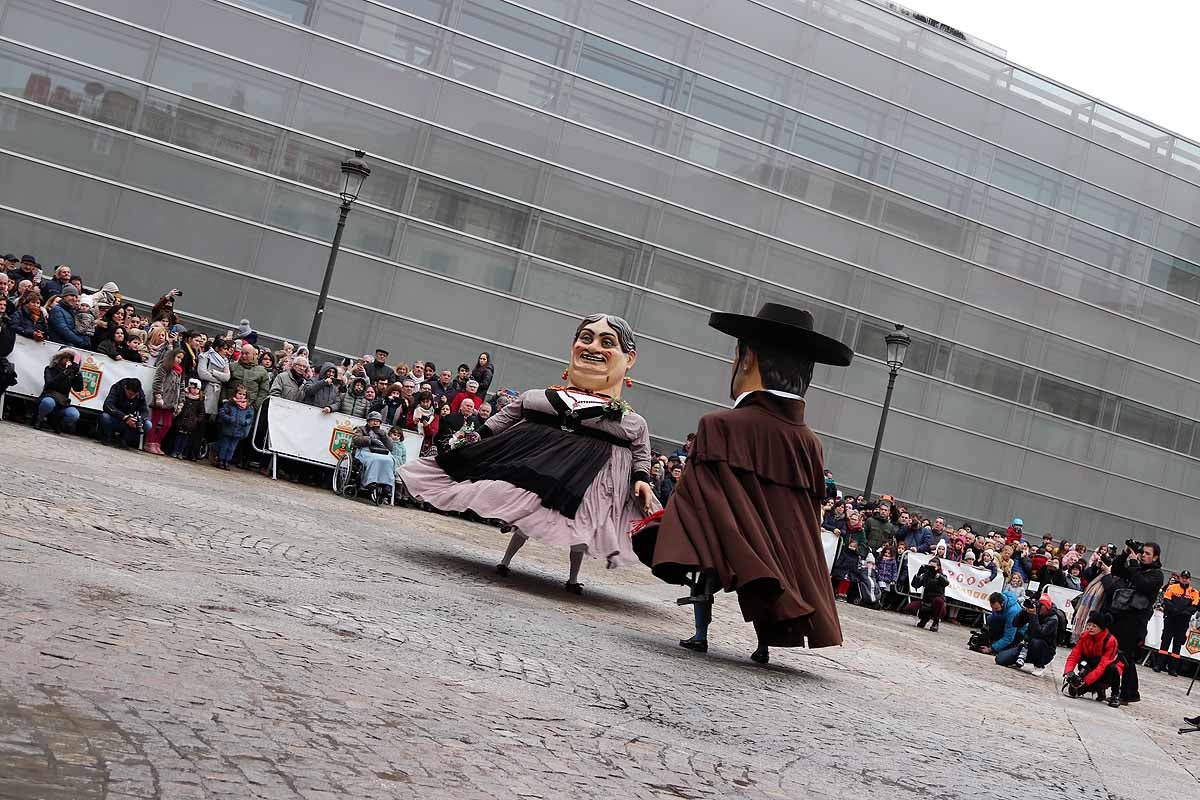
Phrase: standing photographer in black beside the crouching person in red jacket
(1137, 578)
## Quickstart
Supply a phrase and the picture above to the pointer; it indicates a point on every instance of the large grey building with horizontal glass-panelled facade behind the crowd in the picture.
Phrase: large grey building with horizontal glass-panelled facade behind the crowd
(538, 160)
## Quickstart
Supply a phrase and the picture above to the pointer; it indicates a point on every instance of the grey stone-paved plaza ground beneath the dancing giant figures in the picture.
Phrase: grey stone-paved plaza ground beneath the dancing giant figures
(175, 631)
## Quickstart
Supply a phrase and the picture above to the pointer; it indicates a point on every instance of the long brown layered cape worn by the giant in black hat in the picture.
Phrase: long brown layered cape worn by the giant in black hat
(748, 508)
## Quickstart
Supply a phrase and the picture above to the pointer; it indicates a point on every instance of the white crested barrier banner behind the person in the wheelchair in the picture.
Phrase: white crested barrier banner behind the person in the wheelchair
(301, 431)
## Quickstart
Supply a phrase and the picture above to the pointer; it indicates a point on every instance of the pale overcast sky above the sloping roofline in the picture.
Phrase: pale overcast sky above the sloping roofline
(1142, 57)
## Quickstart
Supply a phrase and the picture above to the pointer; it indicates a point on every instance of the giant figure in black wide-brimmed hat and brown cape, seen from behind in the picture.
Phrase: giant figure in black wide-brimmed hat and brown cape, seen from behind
(747, 514)
